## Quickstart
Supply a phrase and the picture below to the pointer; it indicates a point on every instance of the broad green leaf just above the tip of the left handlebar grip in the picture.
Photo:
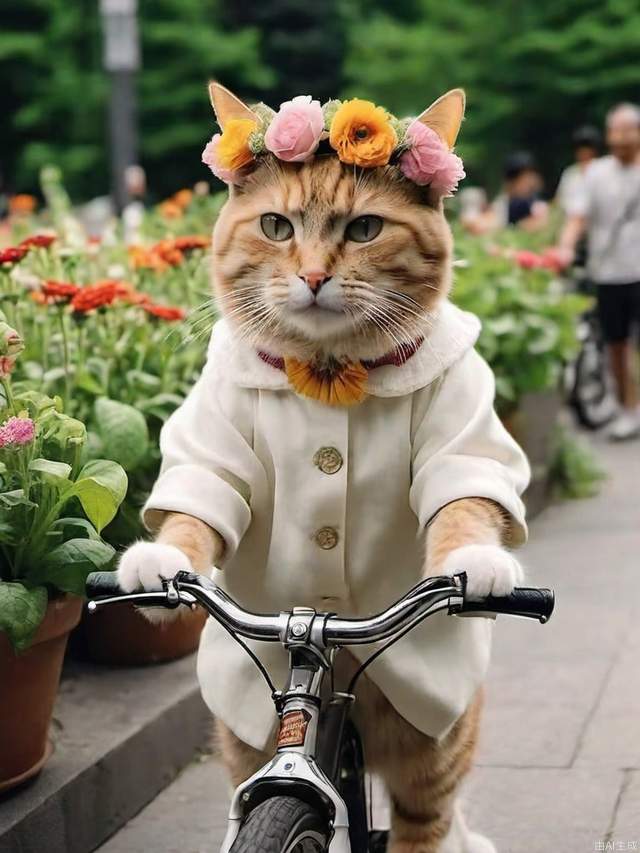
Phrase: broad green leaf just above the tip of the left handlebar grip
(66, 567)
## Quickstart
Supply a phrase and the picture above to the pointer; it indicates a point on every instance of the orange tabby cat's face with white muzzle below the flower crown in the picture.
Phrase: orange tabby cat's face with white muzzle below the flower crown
(322, 257)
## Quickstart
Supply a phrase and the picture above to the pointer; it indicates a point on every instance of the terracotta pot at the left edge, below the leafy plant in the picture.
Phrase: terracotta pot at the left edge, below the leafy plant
(29, 686)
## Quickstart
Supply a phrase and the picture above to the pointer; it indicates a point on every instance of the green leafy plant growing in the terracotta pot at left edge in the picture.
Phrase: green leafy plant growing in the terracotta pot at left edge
(51, 511)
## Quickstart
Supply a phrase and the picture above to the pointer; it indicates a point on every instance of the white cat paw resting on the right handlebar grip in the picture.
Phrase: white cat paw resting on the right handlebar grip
(491, 570)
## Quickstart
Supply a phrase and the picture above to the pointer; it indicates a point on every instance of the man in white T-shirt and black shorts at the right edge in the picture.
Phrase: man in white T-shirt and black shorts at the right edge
(607, 210)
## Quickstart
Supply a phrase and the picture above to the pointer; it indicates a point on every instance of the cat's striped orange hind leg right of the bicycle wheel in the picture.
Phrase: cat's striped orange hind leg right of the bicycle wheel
(422, 774)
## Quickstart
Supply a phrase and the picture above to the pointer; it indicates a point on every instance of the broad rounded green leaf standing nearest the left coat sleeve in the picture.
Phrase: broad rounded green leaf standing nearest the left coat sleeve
(123, 430)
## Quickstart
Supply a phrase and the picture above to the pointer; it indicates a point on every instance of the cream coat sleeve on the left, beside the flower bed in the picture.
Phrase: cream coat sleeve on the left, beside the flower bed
(208, 465)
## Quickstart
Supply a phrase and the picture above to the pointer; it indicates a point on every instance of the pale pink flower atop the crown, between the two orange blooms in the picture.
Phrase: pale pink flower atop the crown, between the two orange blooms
(294, 132)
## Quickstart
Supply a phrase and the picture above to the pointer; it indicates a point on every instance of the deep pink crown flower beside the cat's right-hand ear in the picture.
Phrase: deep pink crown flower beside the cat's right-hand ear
(429, 161)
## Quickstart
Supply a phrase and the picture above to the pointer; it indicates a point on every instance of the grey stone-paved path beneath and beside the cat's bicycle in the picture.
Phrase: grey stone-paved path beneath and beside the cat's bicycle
(559, 763)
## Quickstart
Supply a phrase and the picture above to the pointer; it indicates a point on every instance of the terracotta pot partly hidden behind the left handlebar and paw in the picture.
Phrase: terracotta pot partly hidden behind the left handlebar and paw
(121, 636)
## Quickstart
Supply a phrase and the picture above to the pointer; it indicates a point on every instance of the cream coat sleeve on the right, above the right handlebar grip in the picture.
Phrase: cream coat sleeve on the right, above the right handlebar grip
(462, 450)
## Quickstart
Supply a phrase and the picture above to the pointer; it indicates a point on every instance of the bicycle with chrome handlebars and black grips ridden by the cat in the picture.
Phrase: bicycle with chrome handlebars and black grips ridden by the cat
(310, 796)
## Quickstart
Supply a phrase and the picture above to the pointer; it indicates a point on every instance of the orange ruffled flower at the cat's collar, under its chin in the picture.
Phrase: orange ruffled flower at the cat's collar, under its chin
(343, 386)
